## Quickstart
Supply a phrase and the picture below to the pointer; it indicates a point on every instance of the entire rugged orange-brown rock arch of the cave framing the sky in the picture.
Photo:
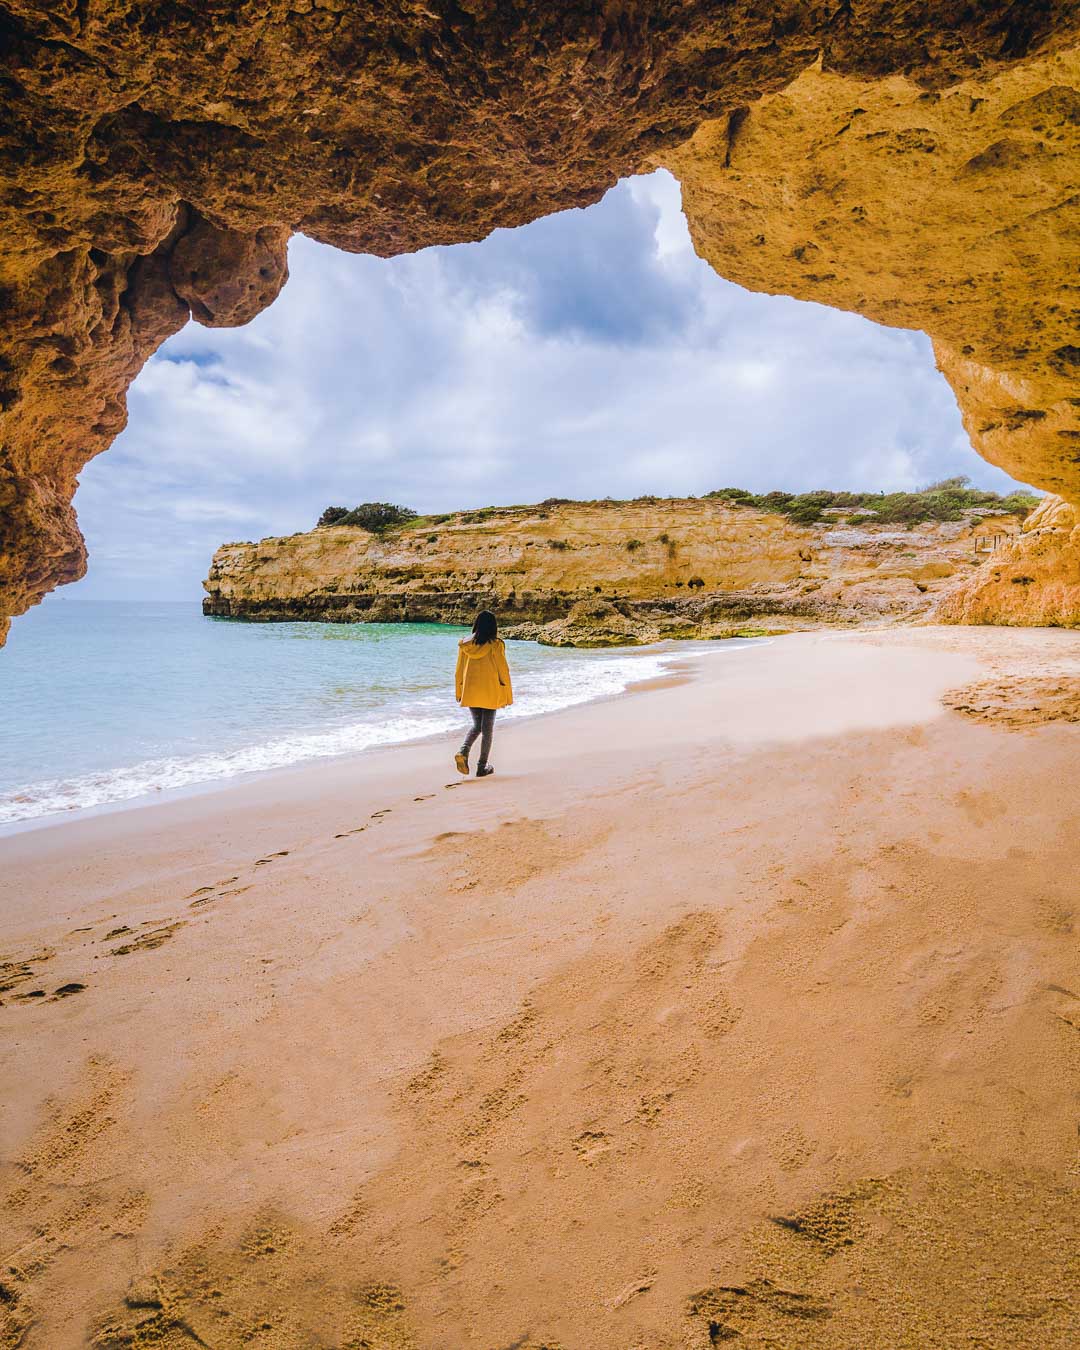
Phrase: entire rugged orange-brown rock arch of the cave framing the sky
(157, 157)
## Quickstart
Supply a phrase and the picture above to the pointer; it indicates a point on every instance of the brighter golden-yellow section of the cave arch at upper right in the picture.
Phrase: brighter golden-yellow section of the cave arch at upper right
(900, 203)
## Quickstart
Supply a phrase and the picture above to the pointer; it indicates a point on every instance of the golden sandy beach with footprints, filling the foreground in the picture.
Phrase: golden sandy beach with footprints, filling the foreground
(743, 1009)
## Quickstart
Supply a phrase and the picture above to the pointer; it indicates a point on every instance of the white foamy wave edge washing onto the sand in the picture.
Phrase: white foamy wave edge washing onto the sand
(670, 653)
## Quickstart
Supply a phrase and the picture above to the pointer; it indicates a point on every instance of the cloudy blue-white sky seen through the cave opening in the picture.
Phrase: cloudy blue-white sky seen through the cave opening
(588, 354)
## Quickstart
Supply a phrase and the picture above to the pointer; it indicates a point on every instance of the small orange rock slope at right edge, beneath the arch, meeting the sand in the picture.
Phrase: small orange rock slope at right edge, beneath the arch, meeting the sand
(1035, 578)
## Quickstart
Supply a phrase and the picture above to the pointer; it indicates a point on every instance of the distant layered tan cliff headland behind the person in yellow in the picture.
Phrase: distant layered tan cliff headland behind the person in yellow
(676, 569)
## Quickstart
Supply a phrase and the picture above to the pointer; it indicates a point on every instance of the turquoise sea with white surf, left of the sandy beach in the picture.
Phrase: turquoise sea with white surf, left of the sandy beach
(106, 704)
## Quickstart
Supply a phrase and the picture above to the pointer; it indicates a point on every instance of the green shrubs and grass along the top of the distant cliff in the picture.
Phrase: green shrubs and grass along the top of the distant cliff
(952, 499)
